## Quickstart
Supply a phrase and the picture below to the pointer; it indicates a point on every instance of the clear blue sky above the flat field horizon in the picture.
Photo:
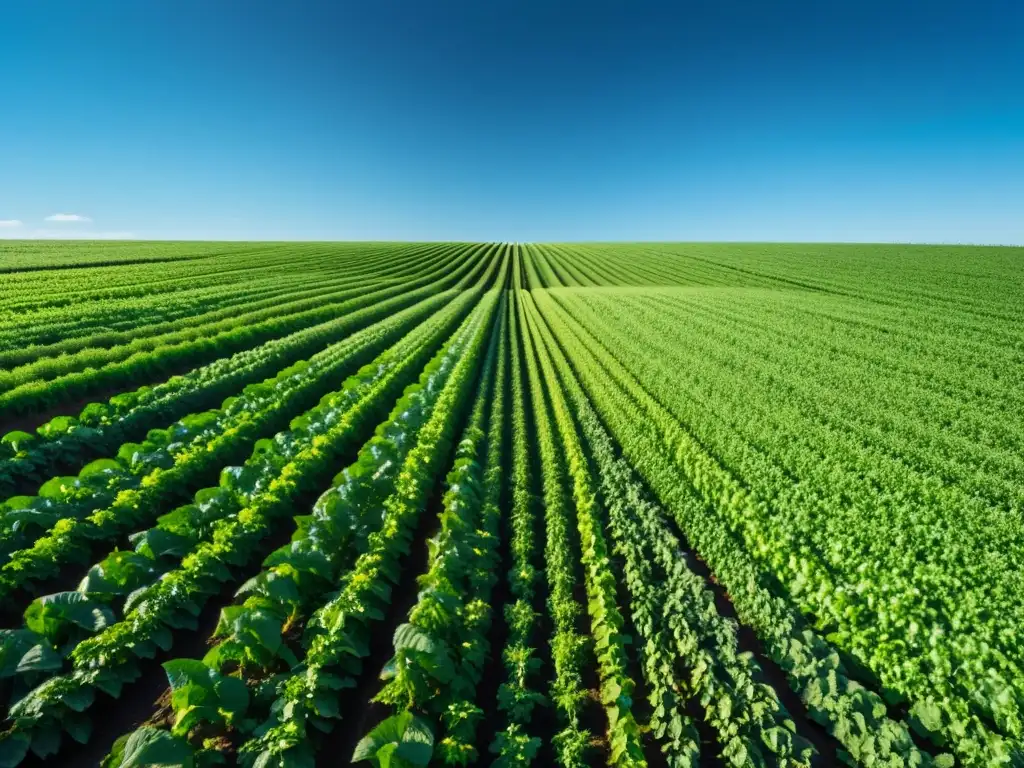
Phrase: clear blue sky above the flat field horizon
(515, 120)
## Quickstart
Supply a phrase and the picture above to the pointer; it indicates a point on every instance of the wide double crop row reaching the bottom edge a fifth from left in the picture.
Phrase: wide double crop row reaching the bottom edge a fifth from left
(396, 471)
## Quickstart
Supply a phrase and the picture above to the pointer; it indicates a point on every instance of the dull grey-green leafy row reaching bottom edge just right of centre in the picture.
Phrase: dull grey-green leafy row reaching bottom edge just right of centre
(676, 616)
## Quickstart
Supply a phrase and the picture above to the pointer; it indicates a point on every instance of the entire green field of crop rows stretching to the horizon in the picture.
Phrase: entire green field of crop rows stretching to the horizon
(498, 504)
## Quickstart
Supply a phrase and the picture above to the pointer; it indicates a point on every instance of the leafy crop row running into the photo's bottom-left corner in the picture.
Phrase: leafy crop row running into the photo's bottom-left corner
(235, 520)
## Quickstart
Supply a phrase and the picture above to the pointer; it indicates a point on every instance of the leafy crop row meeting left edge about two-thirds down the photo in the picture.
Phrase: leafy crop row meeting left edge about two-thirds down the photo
(113, 496)
